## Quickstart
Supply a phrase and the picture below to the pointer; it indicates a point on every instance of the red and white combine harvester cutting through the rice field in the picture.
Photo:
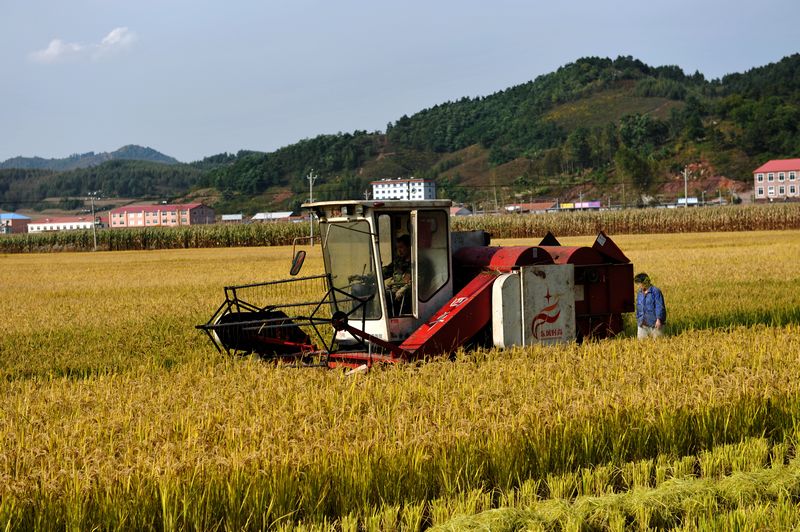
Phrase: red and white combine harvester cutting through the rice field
(461, 292)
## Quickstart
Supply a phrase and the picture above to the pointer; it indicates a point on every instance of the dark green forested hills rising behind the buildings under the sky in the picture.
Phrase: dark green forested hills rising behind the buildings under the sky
(591, 127)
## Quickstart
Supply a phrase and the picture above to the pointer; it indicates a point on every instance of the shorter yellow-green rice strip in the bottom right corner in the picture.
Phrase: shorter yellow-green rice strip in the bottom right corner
(756, 493)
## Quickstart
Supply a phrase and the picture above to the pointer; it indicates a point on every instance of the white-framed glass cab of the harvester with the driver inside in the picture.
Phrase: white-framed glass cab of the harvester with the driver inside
(390, 261)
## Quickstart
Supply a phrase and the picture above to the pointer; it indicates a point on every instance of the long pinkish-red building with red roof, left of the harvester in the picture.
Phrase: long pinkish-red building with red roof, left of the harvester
(161, 215)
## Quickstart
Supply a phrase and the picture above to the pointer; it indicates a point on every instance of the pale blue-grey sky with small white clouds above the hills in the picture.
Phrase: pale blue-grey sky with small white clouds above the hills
(195, 78)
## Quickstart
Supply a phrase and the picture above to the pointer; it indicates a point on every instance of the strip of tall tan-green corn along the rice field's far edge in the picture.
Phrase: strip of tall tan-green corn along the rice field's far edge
(629, 221)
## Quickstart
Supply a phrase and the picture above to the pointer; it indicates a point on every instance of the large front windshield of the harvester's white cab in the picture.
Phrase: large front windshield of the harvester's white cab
(349, 259)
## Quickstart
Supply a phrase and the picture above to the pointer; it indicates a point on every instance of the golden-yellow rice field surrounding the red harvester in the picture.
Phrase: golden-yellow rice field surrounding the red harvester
(117, 414)
